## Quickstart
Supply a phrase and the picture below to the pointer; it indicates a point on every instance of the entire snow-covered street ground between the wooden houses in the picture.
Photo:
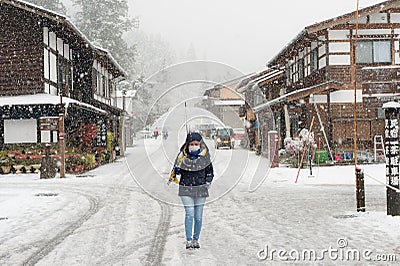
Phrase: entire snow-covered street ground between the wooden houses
(105, 218)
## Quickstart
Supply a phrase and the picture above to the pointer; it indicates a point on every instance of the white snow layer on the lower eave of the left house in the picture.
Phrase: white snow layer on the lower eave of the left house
(42, 98)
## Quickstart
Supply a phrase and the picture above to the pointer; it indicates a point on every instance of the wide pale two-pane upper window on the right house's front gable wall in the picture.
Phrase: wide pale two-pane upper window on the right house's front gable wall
(370, 52)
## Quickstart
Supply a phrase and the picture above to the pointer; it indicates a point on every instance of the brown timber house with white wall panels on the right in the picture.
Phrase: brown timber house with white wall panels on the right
(319, 80)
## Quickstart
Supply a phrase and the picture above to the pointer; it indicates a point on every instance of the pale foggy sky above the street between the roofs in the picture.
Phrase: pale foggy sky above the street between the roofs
(243, 34)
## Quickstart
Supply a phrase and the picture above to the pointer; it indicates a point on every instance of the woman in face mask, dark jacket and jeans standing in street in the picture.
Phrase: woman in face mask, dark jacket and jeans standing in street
(194, 165)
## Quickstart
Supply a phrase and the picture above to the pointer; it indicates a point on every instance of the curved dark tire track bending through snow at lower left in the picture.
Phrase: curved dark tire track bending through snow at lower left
(48, 246)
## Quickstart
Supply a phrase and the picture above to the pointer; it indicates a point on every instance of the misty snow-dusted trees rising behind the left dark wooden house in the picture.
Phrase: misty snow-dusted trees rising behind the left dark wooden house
(110, 24)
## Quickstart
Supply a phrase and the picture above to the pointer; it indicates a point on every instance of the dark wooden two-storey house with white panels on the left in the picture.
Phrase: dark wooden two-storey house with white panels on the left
(46, 63)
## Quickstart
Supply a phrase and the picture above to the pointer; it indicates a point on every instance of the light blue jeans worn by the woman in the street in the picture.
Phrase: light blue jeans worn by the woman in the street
(193, 211)
